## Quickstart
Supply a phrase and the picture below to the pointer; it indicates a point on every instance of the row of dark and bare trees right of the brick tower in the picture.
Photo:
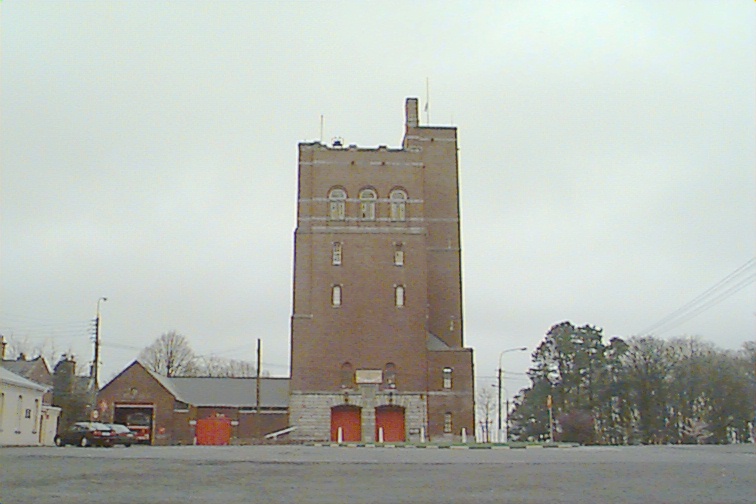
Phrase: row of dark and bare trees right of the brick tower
(640, 390)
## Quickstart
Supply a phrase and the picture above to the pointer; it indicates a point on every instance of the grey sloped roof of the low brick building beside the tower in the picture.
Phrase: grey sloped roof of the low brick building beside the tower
(233, 392)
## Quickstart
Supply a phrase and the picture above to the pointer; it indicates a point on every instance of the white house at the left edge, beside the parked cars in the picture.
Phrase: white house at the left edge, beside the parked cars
(24, 420)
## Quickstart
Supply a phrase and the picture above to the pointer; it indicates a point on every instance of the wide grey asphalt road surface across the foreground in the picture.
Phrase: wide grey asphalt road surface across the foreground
(300, 474)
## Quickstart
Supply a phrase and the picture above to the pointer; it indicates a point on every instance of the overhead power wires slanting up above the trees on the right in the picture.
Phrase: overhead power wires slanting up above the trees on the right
(736, 281)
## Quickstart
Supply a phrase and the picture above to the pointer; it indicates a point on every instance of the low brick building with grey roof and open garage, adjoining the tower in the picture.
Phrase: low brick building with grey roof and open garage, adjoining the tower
(165, 410)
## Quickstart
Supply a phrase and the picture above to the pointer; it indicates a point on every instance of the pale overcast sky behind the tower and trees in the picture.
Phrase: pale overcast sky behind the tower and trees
(607, 160)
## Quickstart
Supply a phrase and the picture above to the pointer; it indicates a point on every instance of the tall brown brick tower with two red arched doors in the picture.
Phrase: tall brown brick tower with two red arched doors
(376, 332)
